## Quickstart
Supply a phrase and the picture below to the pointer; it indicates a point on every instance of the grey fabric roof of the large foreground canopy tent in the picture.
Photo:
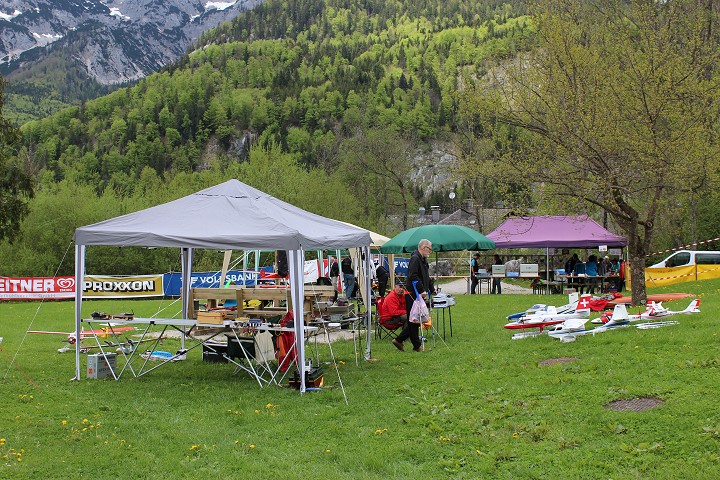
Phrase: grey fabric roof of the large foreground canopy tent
(231, 215)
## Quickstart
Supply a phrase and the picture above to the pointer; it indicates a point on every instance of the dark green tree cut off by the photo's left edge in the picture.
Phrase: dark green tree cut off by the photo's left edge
(16, 184)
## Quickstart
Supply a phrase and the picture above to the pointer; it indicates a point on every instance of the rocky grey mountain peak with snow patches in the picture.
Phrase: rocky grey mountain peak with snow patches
(114, 41)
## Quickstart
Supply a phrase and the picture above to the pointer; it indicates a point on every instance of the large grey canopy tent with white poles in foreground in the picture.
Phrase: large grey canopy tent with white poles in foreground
(228, 216)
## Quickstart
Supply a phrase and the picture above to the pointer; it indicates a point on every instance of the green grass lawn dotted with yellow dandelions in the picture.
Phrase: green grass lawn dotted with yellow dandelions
(485, 406)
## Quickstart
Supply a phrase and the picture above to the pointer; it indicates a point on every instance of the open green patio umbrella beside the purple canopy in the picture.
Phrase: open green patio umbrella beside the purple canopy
(445, 238)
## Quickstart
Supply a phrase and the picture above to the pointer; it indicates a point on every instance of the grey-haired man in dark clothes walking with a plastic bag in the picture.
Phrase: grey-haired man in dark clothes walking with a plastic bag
(418, 279)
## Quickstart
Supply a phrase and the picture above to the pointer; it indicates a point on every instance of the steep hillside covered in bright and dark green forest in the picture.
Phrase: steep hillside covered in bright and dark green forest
(331, 105)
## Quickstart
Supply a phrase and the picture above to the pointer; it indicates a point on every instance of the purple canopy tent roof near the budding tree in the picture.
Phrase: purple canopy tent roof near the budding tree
(549, 231)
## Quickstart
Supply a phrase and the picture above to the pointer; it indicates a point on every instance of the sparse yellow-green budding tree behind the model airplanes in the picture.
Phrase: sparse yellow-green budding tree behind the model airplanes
(617, 109)
